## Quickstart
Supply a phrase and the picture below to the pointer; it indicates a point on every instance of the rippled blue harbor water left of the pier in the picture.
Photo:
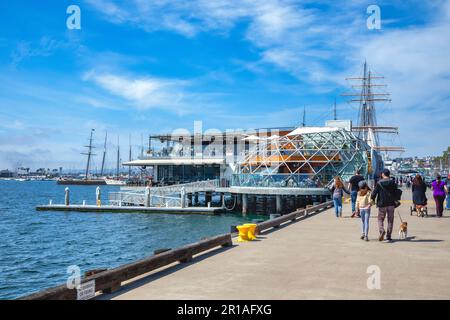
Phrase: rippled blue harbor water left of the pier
(37, 247)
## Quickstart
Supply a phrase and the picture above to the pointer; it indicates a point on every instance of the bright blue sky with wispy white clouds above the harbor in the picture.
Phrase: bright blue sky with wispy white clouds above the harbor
(151, 66)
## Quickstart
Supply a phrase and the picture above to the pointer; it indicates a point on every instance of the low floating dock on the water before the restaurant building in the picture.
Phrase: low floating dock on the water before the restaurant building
(131, 209)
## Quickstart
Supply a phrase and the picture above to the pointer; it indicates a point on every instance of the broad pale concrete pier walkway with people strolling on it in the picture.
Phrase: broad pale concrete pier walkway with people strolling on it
(320, 257)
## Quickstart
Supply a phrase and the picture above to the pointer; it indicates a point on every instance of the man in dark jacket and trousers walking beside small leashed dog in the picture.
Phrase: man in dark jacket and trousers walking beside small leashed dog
(384, 194)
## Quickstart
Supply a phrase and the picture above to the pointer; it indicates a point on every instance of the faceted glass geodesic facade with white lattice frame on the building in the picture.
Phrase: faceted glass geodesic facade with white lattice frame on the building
(307, 157)
